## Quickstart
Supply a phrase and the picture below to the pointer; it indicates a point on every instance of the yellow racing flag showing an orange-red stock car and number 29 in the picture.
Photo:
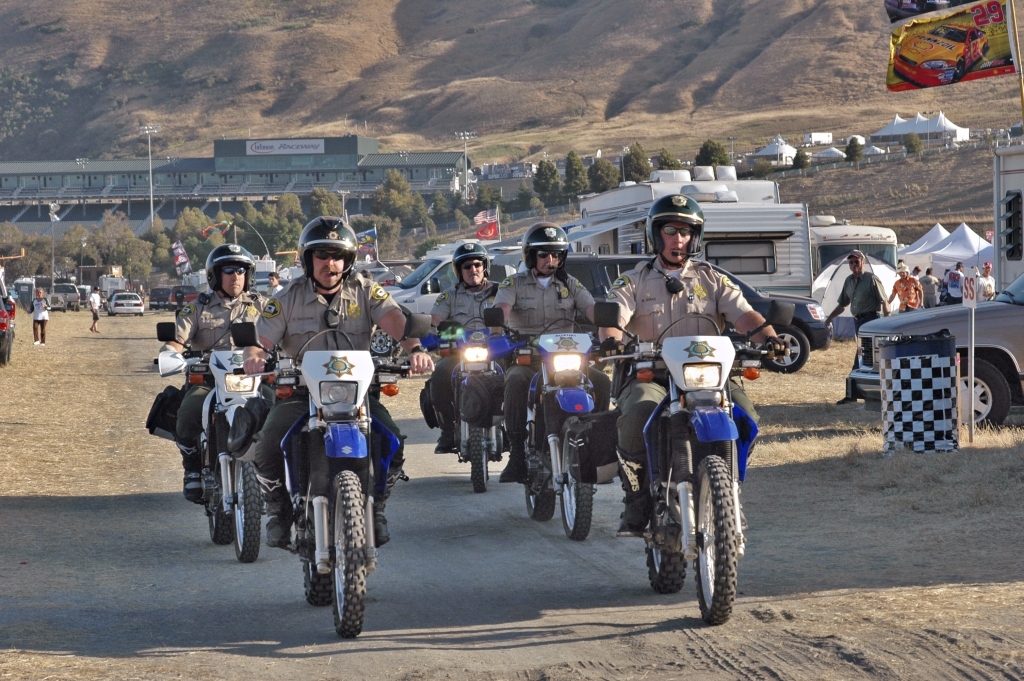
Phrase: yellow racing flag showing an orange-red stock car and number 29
(968, 45)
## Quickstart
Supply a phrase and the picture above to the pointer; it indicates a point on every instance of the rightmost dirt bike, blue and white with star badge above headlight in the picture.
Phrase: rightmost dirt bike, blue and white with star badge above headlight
(698, 443)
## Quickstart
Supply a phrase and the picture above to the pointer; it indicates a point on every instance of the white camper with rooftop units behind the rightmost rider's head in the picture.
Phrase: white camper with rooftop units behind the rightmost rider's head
(748, 231)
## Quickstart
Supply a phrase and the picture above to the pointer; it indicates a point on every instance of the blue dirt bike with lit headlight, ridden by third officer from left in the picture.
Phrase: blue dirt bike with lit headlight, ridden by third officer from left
(480, 438)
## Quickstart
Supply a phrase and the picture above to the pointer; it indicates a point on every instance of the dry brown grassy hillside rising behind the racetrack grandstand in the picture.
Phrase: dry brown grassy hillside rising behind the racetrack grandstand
(80, 76)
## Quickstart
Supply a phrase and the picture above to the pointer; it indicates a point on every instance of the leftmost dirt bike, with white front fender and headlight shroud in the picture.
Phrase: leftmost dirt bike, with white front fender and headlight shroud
(231, 493)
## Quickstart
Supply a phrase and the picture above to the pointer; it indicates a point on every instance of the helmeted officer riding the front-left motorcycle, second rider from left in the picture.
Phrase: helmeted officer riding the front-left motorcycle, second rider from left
(329, 295)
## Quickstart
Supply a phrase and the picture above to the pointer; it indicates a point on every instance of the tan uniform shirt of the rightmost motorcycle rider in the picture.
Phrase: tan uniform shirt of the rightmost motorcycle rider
(648, 309)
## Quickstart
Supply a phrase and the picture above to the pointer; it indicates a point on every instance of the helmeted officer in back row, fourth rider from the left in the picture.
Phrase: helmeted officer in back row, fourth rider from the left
(543, 300)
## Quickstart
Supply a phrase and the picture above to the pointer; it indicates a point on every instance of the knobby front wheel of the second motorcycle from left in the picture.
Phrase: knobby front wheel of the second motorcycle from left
(349, 535)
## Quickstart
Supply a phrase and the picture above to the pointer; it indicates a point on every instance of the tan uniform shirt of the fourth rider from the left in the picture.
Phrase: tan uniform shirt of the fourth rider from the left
(535, 308)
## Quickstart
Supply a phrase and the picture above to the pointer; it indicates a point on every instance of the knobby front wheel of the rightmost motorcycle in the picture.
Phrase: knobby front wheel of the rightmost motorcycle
(718, 541)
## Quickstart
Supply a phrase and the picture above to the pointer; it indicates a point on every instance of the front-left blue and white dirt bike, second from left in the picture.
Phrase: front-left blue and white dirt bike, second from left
(337, 458)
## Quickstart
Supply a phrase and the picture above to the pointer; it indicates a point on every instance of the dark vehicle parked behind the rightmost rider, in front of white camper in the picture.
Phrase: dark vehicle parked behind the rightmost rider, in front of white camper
(807, 333)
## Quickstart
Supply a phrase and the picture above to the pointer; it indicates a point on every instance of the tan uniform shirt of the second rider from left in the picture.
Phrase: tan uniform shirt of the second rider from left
(300, 313)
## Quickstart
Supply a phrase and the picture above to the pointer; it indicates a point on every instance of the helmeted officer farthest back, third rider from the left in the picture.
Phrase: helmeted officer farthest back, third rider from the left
(464, 304)
